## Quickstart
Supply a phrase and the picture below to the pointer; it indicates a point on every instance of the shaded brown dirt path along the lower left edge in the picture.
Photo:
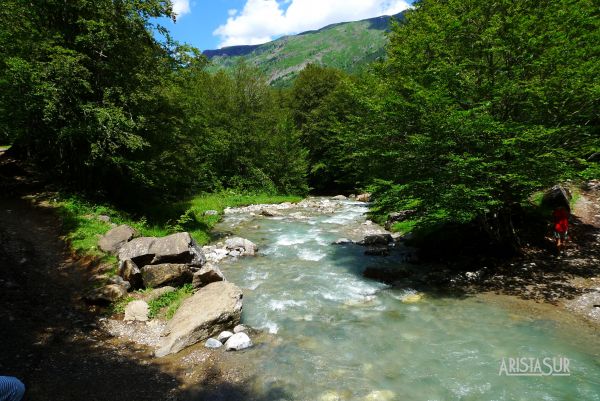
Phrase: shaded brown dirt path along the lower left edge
(48, 336)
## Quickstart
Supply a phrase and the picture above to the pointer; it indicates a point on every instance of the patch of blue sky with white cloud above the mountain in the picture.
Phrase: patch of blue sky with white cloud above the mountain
(210, 24)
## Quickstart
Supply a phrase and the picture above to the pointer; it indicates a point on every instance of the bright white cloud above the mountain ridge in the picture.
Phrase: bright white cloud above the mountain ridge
(261, 20)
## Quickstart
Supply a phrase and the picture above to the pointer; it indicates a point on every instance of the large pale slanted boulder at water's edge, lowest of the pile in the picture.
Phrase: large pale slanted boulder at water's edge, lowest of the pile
(212, 309)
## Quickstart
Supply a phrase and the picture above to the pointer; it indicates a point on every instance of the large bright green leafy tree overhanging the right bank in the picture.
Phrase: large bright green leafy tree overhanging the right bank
(498, 99)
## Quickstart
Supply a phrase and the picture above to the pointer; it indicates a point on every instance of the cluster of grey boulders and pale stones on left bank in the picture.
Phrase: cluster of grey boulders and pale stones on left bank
(161, 263)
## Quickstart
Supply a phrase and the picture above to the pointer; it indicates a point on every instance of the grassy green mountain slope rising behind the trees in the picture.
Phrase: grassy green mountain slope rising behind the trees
(347, 45)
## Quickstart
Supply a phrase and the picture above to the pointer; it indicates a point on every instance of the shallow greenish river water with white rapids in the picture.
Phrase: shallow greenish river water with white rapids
(335, 335)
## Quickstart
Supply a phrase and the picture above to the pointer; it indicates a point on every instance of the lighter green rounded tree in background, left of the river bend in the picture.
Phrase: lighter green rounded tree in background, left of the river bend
(240, 132)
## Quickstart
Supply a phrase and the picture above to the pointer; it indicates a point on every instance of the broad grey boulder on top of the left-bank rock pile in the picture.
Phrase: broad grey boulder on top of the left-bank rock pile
(175, 248)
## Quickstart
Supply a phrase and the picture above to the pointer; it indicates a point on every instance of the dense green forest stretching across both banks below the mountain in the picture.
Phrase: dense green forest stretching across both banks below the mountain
(476, 105)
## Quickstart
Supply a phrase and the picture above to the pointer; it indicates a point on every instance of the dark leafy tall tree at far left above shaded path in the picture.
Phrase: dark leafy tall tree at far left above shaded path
(81, 88)
